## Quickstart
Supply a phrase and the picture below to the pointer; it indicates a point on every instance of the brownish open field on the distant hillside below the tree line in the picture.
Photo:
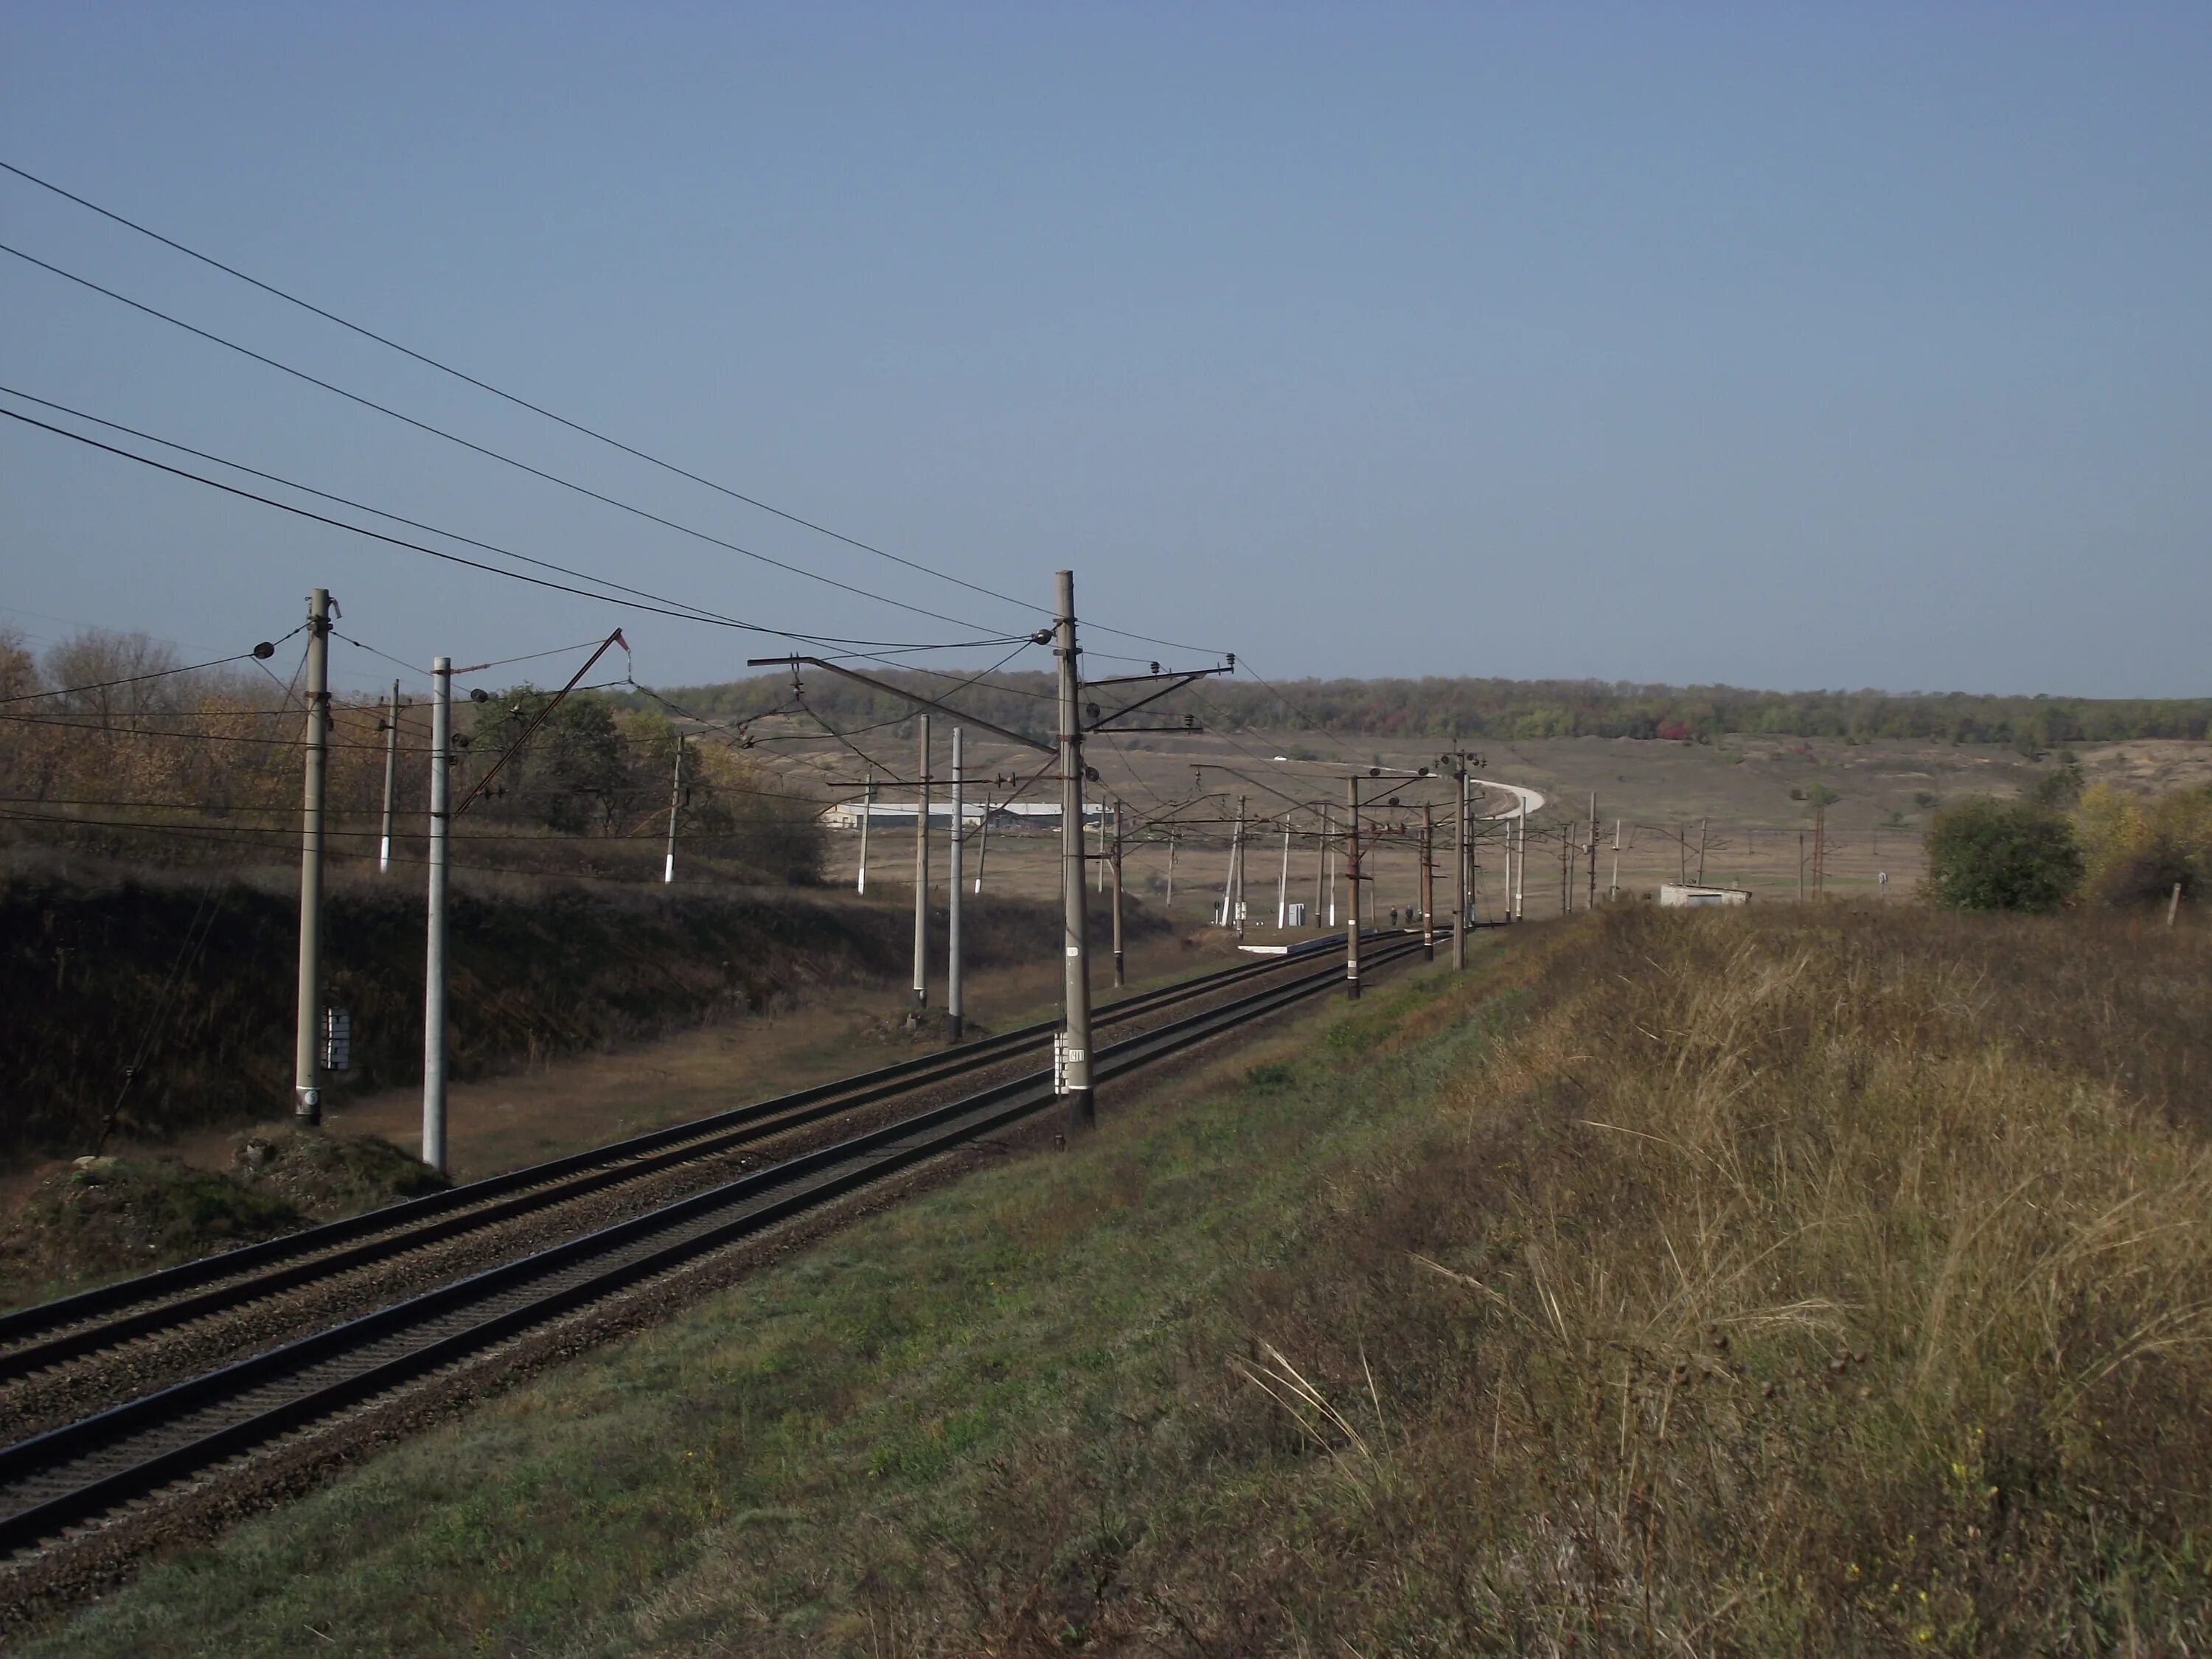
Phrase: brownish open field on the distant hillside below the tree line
(1665, 797)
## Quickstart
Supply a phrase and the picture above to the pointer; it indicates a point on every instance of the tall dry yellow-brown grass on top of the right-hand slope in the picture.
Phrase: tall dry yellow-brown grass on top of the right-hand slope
(1791, 1286)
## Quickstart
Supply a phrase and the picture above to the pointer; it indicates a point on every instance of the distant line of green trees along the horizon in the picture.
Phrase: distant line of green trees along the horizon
(1514, 709)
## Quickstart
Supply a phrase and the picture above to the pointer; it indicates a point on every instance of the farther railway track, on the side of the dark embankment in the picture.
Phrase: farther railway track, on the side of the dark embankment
(54, 1333)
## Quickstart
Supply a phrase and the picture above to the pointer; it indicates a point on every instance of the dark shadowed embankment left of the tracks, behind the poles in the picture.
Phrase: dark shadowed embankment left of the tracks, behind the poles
(194, 985)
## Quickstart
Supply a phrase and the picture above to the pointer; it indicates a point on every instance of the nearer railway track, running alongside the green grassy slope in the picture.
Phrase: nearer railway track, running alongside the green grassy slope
(127, 1452)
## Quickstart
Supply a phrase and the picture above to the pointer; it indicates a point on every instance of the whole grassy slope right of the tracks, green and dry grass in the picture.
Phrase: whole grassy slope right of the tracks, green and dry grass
(1749, 1284)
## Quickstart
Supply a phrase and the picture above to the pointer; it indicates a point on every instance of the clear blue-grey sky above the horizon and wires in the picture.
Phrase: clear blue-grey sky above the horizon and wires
(1786, 346)
